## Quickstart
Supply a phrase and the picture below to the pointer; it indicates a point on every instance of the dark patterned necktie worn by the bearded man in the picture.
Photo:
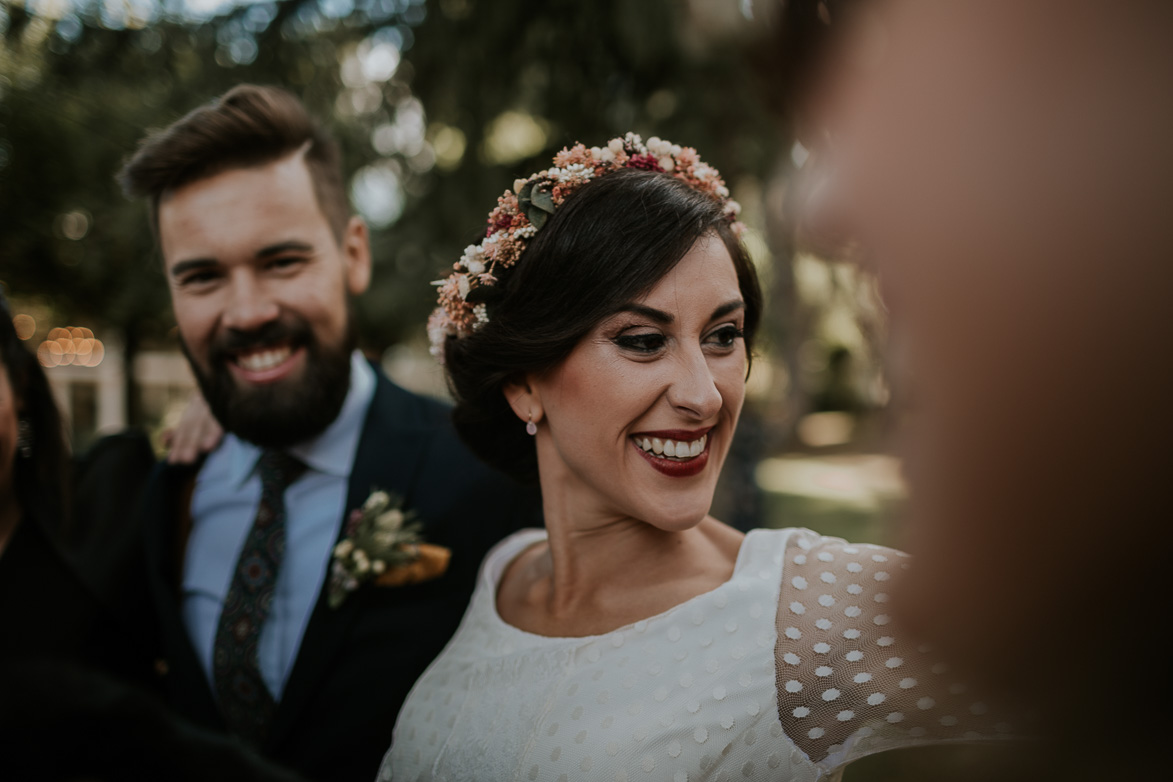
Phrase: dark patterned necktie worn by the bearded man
(246, 703)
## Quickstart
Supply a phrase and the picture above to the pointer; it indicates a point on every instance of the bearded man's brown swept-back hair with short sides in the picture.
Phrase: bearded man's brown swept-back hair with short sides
(247, 127)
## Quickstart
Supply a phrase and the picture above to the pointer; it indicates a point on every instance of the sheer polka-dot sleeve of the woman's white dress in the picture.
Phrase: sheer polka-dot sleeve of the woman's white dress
(849, 684)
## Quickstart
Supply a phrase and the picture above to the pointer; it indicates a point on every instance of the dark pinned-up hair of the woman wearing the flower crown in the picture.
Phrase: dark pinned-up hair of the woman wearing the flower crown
(609, 244)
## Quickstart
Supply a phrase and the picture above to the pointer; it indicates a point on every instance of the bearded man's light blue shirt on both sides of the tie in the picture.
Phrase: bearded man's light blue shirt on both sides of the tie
(223, 506)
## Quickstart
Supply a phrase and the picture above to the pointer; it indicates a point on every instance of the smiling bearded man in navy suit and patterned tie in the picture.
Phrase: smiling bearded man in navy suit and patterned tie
(263, 256)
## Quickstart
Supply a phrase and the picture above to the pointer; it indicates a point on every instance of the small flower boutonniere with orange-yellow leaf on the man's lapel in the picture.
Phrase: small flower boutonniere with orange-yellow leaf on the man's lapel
(383, 545)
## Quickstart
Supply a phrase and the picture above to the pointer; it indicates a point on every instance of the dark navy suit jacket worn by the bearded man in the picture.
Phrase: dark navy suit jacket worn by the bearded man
(357, 663)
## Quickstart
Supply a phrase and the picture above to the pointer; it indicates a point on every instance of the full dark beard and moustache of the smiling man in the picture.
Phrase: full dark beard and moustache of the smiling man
(284, 413)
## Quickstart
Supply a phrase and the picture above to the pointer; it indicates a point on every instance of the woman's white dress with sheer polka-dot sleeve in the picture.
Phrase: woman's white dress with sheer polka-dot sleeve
(785, 672)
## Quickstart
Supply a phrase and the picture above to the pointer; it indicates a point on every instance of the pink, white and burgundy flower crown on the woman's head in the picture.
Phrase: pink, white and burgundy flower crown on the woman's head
(524, 212)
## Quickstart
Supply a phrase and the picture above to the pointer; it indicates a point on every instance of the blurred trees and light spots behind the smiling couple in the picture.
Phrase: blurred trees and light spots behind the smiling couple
(438, 105)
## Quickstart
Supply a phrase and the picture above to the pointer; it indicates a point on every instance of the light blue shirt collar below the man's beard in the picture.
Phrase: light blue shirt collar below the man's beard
(333, 452)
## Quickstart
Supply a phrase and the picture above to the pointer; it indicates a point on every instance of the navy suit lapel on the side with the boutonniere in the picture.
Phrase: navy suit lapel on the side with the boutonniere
(389, 458)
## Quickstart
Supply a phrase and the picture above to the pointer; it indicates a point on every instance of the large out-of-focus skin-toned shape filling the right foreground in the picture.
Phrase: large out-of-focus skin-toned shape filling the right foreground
(1008, 171)
